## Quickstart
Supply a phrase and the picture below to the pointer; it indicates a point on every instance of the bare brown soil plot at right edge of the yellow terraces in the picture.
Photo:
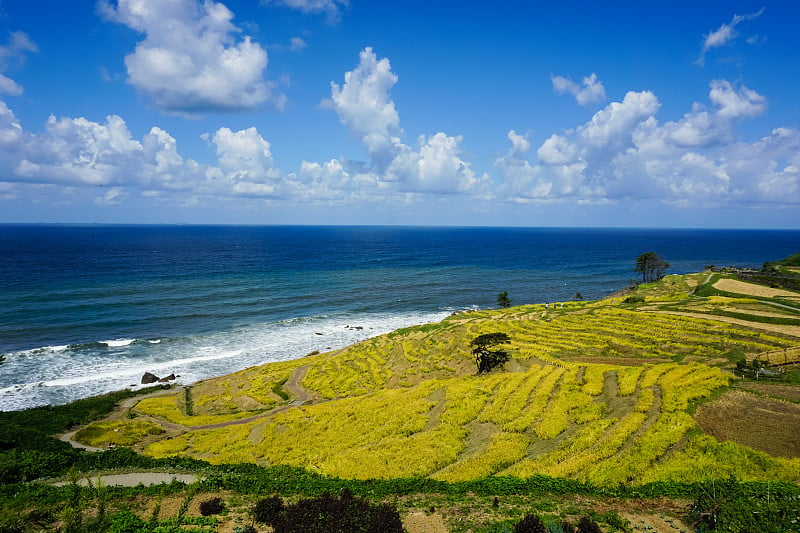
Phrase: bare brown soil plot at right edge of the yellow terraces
(764, 424)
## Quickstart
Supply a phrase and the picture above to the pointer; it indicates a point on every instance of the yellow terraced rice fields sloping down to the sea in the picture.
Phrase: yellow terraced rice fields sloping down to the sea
(607, 391)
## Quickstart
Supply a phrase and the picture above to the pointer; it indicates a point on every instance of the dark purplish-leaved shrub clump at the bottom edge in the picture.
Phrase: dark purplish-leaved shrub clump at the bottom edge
(327, 514)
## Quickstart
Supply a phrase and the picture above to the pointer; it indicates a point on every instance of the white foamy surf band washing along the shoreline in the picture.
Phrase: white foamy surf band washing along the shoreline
(59, 376)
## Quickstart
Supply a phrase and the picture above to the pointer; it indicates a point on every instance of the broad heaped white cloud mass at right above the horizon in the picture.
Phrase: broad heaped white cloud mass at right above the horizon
(624, 153)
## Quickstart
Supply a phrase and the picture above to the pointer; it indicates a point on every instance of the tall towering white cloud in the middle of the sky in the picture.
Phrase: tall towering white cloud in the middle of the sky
(365, 106)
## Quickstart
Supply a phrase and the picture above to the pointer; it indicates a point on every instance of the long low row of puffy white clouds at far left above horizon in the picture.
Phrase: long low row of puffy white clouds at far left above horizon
(77, 152)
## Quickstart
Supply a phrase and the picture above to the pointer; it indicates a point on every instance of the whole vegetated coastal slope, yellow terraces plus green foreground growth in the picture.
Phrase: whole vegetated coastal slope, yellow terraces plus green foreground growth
(590, 402)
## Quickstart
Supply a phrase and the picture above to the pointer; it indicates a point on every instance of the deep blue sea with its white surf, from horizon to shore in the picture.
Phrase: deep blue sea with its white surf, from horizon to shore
(88, 309)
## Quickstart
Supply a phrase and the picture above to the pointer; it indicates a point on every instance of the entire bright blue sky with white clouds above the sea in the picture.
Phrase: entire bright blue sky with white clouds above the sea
(401, 112)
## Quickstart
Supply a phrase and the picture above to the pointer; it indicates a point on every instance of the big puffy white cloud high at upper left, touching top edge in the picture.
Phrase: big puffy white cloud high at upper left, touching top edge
(191, 60)
